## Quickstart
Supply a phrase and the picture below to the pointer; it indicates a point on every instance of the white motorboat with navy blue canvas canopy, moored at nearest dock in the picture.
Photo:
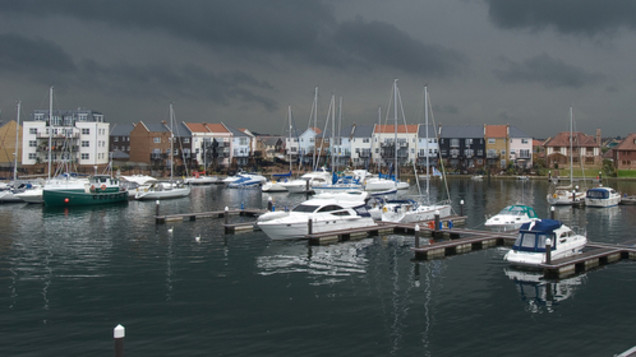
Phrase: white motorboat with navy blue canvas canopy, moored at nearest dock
(529, 249)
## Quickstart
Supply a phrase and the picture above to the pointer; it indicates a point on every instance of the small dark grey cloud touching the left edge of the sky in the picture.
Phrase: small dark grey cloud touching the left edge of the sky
(18, 53)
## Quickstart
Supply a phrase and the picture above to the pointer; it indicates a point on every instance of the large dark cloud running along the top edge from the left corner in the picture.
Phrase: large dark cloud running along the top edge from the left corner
(273, 25)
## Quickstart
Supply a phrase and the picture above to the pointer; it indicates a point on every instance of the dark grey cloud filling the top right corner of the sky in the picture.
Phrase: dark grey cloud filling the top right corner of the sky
(567, 16)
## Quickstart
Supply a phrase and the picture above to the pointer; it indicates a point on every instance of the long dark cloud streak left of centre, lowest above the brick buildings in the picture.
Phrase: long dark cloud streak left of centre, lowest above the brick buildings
(167, 81)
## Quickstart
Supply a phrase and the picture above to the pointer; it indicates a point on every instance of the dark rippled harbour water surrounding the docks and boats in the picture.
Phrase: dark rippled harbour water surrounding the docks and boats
(67, 278)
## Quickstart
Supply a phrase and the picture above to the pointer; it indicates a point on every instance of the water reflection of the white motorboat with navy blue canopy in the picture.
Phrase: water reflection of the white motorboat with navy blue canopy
(543, 295)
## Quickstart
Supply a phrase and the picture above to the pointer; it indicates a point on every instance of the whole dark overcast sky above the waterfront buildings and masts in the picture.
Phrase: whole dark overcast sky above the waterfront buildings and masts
(515, 62)
